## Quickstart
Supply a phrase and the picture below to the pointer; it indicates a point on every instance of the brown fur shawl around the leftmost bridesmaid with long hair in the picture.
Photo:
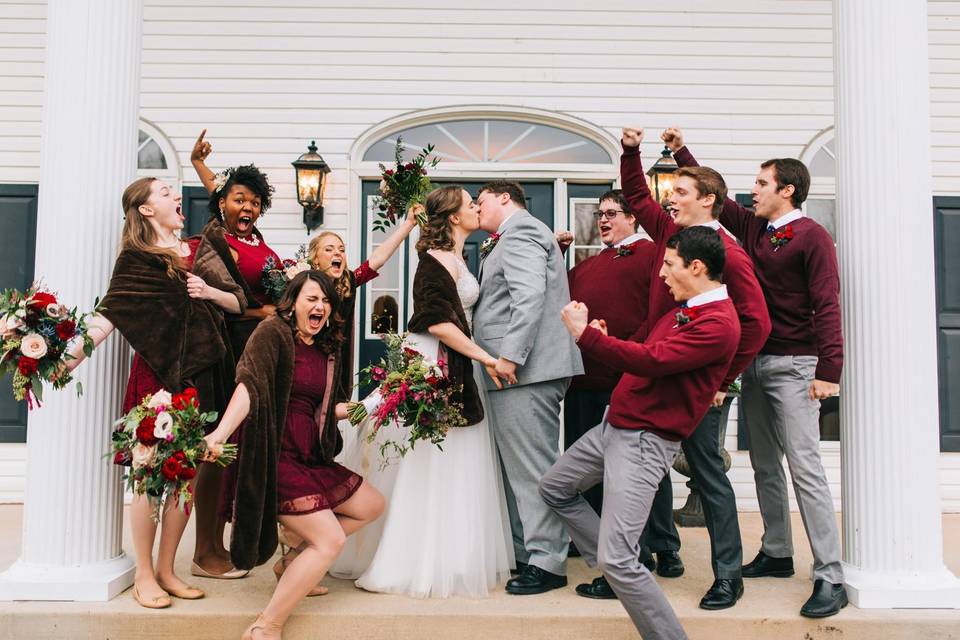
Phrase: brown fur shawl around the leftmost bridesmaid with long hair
(179, 337)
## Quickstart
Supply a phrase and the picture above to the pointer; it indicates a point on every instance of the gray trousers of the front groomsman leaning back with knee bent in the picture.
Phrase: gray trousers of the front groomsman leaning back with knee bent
(630, 463)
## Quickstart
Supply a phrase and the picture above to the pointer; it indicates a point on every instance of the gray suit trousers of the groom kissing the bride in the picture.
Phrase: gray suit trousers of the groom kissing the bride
(526, 428)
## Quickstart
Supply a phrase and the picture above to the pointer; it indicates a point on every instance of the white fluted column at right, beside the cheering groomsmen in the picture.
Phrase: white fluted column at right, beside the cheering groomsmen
(892, 533)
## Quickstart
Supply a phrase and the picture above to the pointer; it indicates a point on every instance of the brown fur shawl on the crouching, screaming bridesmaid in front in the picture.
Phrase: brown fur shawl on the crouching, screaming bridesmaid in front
(266, 370)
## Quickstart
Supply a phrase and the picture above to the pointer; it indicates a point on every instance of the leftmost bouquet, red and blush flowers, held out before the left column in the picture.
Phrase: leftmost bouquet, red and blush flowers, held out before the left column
(36, 331)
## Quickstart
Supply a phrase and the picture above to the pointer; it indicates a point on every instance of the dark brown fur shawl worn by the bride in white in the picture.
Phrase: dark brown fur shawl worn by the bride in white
(436, 300)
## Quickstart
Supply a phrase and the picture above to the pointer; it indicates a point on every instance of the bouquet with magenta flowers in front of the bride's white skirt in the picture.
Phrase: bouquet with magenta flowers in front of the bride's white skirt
(412, 390)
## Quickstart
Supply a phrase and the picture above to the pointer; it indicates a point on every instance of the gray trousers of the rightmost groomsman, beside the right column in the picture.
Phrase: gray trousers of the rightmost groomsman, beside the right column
(783, 420)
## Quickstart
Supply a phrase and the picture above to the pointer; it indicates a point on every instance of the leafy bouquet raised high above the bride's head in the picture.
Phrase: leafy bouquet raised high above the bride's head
(402, 186)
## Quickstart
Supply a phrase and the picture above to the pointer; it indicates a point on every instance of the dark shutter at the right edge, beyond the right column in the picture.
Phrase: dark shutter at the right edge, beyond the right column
(946, 230)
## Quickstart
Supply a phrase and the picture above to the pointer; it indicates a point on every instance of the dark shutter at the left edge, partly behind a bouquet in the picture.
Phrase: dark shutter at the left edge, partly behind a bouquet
(18, 233)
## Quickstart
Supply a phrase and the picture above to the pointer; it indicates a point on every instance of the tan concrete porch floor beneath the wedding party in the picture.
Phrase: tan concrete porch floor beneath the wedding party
(769, 608)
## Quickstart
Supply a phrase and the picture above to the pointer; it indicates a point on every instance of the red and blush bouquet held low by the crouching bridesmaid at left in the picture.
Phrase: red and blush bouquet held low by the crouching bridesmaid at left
(161, 439)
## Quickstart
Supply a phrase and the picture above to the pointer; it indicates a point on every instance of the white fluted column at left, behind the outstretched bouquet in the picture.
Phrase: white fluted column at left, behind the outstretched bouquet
(73, 502)
